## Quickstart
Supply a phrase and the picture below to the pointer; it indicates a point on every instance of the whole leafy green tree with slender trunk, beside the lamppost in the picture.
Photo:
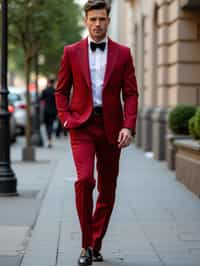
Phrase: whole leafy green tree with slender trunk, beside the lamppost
(37, 26)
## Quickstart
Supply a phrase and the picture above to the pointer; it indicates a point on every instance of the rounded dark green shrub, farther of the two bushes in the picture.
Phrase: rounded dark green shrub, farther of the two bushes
(179, 118)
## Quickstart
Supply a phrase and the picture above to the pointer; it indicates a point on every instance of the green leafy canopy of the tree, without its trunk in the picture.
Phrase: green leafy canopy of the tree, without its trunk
(42, 27)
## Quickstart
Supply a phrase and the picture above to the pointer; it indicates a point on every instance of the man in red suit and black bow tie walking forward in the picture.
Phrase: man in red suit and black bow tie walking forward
(99, 70)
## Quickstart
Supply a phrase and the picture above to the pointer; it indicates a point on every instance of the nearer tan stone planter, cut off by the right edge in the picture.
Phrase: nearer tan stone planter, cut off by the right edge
(188, 164)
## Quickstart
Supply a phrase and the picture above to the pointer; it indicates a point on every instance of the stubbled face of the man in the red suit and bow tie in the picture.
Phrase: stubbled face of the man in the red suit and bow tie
(97, 22)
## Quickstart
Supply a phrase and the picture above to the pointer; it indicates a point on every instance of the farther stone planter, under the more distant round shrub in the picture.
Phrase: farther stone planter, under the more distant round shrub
(171, 148)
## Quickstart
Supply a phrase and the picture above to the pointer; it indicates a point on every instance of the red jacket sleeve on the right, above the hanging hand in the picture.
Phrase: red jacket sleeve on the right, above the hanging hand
(130, 95)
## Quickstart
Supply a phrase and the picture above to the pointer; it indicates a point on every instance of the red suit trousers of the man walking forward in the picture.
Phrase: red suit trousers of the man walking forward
(86, 142)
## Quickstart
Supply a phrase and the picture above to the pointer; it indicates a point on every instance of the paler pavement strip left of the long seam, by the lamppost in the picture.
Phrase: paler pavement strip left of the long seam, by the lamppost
(19, 214)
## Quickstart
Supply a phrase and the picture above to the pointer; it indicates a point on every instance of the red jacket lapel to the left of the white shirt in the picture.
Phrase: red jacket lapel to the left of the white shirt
(84, 63)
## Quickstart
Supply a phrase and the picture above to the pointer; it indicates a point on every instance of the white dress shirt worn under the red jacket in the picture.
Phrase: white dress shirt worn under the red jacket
(97, 66)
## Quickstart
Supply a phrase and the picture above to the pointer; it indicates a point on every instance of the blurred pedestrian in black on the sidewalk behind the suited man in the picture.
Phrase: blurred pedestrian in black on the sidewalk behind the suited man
(49, 108)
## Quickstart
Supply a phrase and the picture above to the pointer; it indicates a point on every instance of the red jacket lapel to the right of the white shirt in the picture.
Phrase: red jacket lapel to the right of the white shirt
(111, 60)
